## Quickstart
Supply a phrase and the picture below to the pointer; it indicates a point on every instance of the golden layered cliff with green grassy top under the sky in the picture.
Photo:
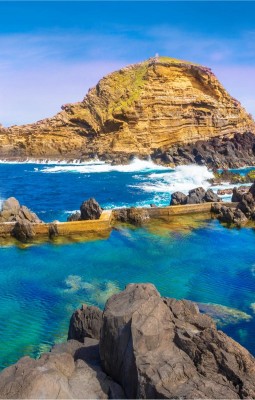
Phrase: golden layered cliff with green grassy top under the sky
(140, 110)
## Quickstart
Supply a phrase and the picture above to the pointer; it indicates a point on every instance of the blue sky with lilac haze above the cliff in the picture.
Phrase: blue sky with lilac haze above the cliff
(51, 53)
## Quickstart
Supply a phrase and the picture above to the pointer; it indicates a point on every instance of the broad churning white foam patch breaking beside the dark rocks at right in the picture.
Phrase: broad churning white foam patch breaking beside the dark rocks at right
(182, 178)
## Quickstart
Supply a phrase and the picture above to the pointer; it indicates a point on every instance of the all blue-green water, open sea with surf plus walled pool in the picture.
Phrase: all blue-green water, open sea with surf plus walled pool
(189, 257)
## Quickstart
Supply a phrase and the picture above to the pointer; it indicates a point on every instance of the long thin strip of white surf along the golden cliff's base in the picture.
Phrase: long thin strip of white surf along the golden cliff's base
(99, 167)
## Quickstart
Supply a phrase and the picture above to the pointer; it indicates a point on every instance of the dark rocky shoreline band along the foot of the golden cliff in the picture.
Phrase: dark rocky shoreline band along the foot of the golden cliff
(237, 151)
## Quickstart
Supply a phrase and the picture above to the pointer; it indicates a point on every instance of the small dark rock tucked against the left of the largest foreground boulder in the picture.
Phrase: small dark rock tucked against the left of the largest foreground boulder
(85, 322)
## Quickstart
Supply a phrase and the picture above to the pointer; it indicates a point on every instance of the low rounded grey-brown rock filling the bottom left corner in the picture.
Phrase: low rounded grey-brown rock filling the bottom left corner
(71, 371)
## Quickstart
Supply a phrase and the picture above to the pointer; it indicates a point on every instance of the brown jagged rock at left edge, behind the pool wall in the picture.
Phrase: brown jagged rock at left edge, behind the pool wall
(12, 211)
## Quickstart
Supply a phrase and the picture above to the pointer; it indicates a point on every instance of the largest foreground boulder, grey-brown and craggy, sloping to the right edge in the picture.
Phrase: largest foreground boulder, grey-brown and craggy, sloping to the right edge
(161, 348)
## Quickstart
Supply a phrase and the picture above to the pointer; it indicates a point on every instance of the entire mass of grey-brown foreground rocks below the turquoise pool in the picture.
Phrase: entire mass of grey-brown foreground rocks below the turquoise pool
(141, 346)
